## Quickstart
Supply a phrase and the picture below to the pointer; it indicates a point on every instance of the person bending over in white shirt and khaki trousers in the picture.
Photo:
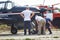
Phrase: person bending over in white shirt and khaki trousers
(41, 22)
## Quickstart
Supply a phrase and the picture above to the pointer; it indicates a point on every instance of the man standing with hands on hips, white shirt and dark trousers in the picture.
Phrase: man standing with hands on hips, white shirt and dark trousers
(27, 15)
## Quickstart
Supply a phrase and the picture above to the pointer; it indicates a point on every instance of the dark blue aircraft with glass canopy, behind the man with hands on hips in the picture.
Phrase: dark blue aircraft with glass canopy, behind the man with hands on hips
(11, 16)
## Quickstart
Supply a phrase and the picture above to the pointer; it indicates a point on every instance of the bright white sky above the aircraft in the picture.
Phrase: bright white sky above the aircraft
(35, 2)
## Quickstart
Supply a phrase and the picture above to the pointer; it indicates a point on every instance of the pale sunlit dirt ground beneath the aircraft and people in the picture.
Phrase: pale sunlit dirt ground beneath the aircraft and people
(6, 35)
